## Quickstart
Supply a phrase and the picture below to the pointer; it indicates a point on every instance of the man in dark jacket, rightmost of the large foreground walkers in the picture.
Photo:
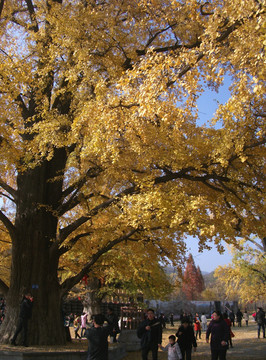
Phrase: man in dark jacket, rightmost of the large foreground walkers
(219, 332)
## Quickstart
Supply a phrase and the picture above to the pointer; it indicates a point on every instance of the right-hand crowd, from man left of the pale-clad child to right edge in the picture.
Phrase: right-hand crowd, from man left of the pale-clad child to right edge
(181, 344)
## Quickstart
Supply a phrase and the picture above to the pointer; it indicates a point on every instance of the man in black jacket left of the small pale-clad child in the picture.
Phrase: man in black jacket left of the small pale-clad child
(150, 333)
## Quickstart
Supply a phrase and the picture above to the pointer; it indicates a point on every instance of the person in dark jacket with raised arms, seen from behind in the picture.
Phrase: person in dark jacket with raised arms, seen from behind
(97, 336)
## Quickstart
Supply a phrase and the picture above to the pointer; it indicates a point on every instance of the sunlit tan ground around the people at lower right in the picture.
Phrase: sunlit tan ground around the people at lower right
(246, 346)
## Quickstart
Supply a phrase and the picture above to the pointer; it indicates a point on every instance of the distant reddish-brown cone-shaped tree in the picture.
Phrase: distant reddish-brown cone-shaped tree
(193, 283)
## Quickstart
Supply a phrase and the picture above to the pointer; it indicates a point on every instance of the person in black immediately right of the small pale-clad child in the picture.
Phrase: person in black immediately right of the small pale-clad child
(186, 338)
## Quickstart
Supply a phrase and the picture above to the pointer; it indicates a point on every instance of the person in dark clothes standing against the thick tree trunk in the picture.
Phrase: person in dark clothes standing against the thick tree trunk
(24, 316)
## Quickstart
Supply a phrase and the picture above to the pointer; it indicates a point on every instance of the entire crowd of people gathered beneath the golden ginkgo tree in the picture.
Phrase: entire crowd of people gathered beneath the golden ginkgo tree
(180, 345)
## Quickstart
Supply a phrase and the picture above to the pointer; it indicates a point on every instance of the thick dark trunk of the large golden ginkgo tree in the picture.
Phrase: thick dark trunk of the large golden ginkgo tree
(35, 256)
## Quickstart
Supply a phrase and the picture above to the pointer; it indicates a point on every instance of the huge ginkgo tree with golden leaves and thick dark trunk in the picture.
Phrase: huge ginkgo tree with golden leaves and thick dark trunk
(100, 142)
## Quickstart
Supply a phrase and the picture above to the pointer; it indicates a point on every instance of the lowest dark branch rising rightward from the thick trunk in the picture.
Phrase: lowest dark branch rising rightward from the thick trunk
(70, 282)
